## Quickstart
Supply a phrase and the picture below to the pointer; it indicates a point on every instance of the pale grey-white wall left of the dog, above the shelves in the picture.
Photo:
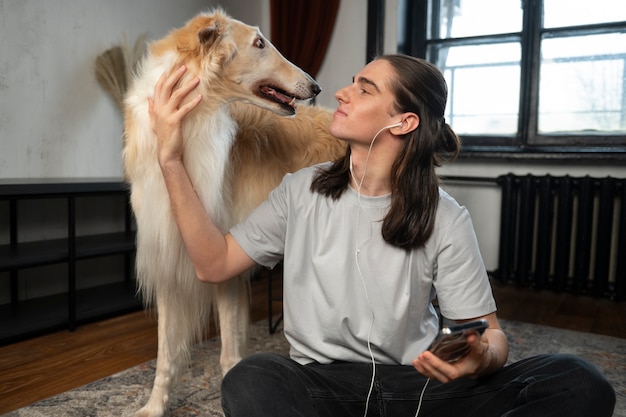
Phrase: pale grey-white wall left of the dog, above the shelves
(55, 120)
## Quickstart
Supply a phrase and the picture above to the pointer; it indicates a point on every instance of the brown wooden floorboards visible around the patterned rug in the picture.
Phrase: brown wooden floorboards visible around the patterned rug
(39, 368)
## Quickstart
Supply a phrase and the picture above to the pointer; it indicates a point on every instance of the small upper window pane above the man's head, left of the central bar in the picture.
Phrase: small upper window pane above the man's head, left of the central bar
(463, 18)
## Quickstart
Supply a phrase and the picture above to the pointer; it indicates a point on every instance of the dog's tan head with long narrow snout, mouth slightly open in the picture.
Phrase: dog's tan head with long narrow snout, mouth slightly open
(237, 63)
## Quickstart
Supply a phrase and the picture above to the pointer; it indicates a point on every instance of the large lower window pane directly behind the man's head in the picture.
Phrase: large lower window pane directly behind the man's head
(483, 87)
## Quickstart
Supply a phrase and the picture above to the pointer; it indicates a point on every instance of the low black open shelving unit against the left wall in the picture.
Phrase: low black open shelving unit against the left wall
(22, 318)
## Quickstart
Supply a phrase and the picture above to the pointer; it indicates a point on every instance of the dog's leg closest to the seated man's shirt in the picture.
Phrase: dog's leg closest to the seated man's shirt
(233, 305)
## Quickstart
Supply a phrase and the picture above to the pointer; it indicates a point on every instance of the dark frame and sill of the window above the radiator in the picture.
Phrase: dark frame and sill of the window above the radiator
(528, 143)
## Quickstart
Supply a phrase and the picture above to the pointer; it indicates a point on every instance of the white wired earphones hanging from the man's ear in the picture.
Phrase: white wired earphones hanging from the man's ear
(359, 184)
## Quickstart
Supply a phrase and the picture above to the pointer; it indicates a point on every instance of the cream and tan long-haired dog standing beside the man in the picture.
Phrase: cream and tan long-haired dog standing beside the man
(234, 153)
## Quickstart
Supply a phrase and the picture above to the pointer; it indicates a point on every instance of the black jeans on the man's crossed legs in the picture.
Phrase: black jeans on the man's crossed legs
(548, 385)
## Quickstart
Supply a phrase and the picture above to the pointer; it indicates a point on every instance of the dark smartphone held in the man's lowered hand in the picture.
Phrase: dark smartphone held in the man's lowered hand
(450, 344)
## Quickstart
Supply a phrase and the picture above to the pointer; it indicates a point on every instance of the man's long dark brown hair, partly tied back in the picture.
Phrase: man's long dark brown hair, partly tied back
(418, 87)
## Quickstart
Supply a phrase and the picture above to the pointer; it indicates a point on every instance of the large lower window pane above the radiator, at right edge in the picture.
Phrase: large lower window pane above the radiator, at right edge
(582, 85)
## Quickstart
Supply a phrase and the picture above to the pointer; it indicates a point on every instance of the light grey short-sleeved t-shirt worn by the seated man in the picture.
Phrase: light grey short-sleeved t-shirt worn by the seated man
(337, 284)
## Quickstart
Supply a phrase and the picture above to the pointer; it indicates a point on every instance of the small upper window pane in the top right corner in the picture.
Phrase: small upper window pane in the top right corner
(562, 13)
